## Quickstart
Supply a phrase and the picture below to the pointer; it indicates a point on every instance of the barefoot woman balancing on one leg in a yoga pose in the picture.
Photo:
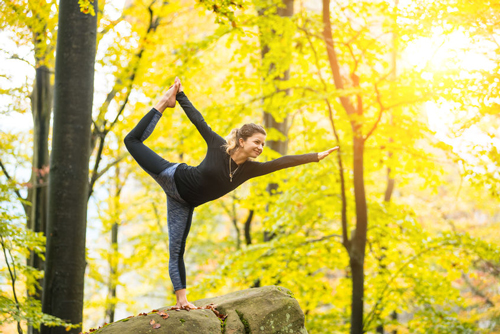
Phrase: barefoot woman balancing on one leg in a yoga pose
(224, 168)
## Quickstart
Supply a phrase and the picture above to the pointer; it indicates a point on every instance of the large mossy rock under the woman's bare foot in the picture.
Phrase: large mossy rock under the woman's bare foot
(268, 310)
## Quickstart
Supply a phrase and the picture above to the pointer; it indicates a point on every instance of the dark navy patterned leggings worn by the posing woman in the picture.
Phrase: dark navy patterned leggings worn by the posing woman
(179, 212)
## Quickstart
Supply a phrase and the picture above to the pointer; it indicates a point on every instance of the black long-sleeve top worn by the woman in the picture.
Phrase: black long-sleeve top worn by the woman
(210, 179)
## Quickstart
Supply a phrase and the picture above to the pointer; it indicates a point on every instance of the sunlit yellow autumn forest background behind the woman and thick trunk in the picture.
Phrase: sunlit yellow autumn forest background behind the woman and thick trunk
(408, 90)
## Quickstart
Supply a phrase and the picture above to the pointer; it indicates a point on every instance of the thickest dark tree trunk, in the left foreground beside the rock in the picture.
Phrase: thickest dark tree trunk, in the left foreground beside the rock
(69, 175)
